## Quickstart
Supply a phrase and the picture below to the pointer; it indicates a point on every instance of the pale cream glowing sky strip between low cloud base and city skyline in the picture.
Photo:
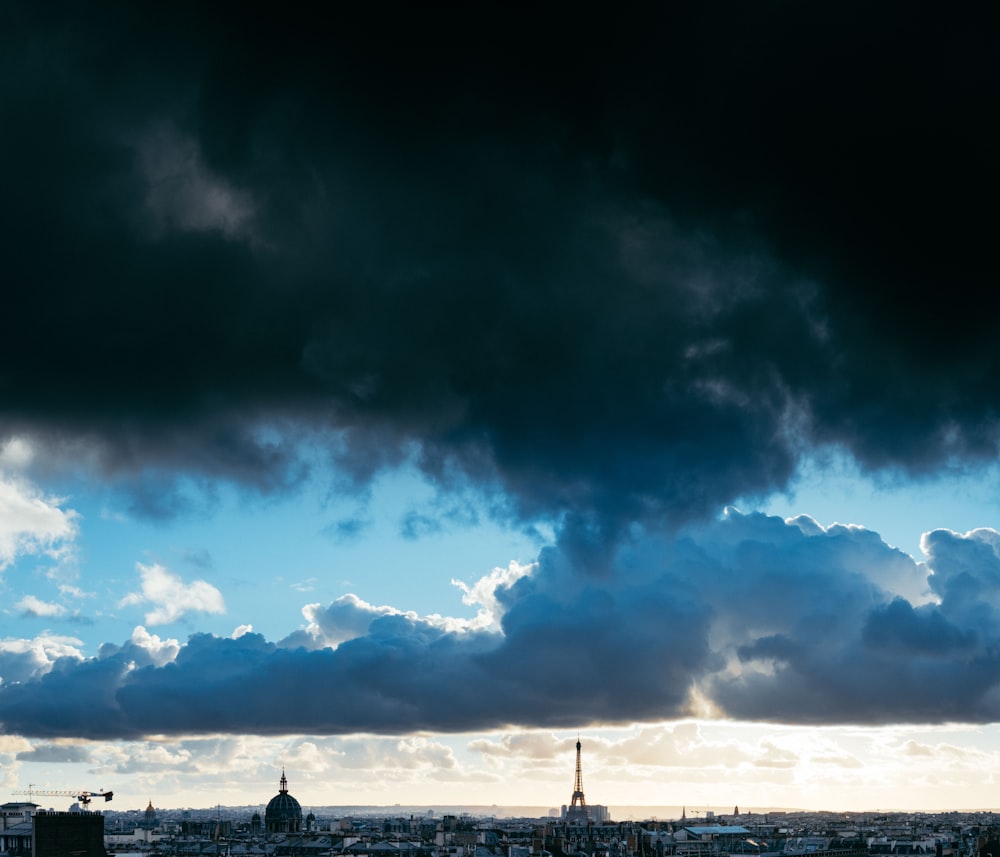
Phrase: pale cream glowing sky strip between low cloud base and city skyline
(700, 765)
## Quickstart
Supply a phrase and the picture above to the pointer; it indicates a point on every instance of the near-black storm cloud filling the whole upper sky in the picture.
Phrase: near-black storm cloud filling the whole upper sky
(625, 264)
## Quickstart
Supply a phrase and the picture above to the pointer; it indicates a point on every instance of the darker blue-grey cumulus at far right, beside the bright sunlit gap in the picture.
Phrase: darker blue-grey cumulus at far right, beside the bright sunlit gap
(878, 659)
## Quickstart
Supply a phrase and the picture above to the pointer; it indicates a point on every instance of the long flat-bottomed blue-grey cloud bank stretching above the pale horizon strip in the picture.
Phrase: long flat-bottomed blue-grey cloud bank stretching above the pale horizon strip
(758, 617)
